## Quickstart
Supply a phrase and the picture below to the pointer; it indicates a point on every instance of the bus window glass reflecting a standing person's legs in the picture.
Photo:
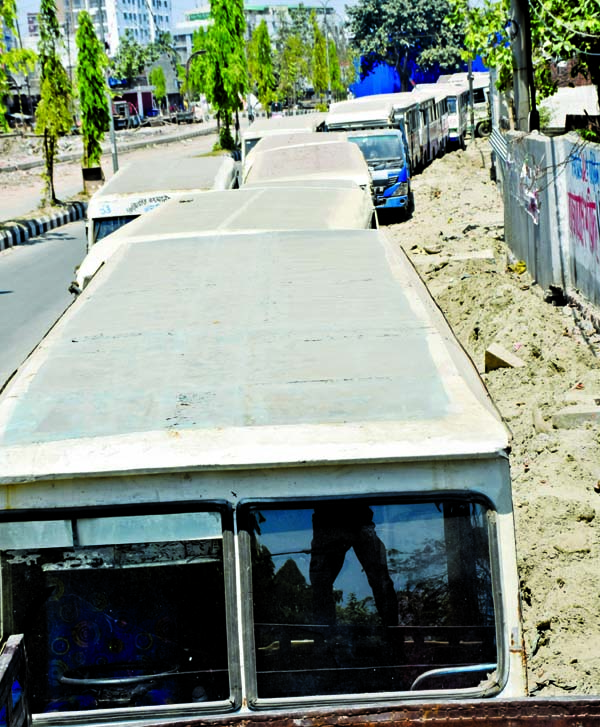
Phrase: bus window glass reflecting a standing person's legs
(354, 597)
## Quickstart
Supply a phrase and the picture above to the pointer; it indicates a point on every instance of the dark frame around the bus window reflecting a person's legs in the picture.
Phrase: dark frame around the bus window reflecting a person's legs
(259, 704)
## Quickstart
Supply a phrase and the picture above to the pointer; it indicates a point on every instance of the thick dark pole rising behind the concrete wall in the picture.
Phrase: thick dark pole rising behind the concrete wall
(527, 116)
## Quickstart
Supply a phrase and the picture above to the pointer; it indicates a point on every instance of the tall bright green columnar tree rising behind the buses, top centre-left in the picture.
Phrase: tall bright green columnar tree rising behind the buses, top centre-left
(228, 58)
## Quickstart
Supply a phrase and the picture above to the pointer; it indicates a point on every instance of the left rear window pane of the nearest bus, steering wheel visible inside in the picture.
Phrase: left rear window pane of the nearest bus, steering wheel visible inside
(119, 611)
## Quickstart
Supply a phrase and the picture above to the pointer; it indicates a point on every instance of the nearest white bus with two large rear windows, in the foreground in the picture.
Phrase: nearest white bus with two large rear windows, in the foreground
(253, 476)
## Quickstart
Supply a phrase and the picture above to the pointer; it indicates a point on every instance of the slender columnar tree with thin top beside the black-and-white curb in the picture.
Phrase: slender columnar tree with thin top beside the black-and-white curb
(54, 110)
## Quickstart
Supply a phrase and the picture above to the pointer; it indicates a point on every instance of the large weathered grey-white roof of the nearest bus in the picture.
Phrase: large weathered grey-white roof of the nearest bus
(273, 349)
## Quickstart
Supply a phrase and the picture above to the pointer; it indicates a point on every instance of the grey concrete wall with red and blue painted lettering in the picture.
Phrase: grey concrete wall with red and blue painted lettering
(551, 191)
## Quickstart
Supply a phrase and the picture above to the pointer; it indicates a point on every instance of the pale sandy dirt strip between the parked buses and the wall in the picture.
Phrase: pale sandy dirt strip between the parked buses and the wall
(455, 239)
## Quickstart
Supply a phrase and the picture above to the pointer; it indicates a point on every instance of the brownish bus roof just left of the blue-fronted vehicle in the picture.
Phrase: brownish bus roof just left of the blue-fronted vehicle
(339, 160)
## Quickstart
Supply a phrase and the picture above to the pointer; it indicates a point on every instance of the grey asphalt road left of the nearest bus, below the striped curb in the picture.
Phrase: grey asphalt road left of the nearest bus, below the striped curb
(34, 279)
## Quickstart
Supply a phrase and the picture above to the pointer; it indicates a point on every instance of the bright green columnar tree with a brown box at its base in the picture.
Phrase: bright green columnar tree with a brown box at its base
(91, 84)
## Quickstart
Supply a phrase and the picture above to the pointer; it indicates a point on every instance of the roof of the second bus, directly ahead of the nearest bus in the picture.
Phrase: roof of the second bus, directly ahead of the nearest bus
(242, 210)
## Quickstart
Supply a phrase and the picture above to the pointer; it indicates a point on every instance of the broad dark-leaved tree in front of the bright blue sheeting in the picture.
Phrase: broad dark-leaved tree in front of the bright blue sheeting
(398, 32)
